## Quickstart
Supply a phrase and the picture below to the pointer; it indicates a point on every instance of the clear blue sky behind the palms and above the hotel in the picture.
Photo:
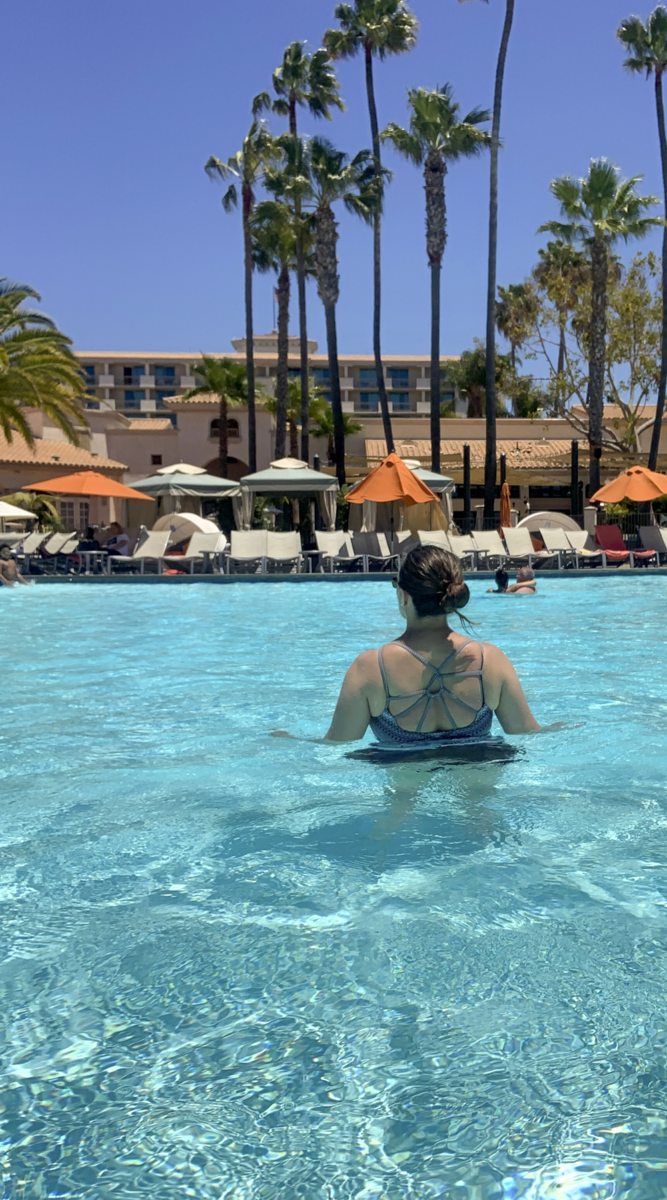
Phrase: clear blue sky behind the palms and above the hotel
(113, 110)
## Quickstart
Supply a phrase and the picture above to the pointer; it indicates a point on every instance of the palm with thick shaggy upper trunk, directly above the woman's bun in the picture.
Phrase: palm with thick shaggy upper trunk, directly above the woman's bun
(436, 139)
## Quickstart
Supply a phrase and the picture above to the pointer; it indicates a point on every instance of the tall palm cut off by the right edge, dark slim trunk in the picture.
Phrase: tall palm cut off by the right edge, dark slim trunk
(648, 52)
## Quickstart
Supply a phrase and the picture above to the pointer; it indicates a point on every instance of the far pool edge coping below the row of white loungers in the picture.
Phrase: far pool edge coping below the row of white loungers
(341, 578)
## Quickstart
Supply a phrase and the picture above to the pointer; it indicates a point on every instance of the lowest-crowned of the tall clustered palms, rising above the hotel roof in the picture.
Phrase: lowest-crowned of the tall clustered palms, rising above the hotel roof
(275, 250)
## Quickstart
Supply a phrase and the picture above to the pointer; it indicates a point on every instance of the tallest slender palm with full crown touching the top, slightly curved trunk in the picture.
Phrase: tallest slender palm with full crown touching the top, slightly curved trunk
(376, 28)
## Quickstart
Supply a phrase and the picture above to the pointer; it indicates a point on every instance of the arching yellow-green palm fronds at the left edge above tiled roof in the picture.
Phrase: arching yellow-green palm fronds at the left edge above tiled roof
(38, 369)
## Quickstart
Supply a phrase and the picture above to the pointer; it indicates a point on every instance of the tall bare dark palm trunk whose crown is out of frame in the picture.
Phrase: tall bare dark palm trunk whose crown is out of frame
(490, 460)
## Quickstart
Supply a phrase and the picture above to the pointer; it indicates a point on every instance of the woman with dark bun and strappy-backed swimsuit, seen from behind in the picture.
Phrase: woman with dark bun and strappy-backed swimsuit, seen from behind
(432, 686)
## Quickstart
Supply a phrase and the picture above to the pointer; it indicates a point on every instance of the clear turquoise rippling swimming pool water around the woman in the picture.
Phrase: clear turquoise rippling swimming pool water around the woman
(253, 969)
